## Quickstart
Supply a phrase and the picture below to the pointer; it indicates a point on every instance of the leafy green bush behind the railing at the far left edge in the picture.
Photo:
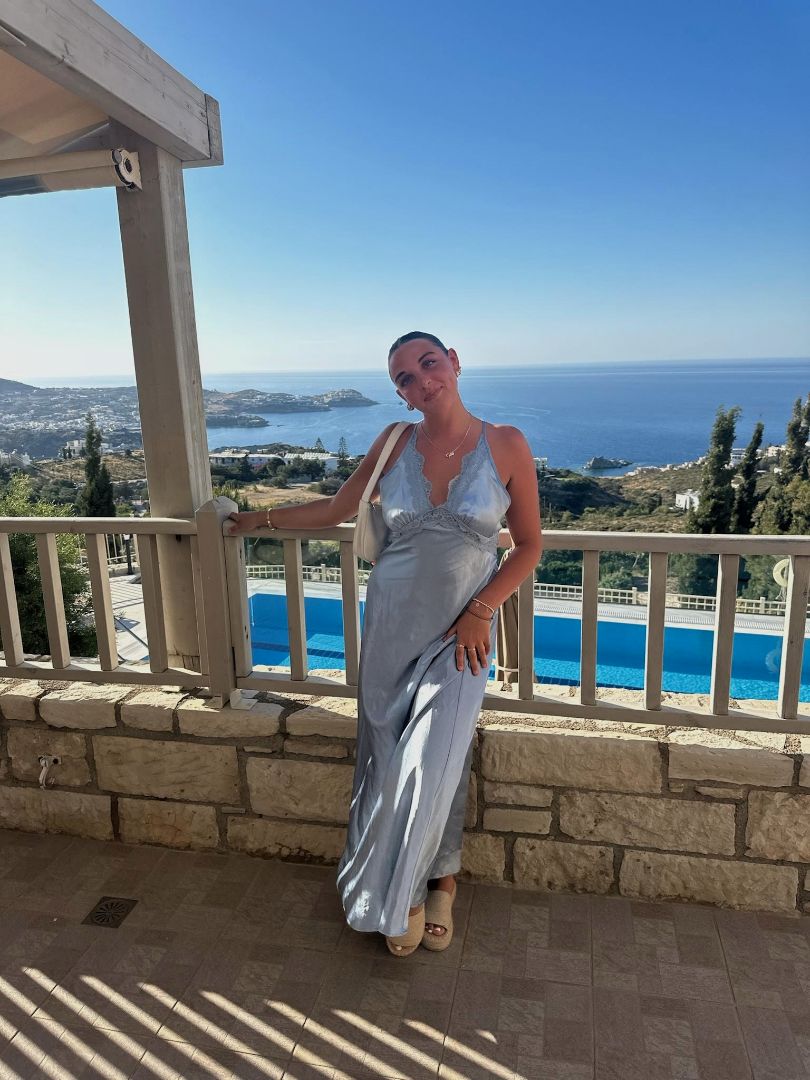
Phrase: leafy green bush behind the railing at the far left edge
(18, 501)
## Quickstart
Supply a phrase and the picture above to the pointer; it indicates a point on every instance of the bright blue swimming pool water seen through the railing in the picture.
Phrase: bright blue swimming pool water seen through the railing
(619, 653)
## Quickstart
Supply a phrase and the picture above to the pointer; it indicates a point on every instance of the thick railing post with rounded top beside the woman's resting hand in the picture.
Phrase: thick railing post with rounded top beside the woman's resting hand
(214, 590)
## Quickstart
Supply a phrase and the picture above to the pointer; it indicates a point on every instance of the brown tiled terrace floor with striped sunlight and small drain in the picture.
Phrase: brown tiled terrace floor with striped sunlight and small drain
(237, 967)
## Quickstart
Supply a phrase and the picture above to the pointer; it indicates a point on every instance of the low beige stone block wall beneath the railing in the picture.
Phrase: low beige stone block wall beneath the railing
(681, 815)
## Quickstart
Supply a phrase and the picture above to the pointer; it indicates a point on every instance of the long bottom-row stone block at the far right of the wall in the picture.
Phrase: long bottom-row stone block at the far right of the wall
(754, 887)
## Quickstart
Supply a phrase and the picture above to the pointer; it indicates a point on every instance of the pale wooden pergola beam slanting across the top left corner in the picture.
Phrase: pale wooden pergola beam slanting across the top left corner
(78, 46)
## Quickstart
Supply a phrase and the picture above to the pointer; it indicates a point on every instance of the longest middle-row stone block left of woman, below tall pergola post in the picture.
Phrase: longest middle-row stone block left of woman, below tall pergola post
(171, 771)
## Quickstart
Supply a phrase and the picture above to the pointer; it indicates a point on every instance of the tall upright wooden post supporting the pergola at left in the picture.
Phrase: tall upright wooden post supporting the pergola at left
(157, 265)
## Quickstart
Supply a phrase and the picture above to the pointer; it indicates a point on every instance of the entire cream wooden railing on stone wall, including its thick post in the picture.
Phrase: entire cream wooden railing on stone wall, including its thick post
(223, 617)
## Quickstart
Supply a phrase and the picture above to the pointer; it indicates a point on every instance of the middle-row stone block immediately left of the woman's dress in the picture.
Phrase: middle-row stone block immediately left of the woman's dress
(310, 791)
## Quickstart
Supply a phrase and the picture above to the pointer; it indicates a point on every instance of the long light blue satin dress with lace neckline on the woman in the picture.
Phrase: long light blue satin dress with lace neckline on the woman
(416, 712)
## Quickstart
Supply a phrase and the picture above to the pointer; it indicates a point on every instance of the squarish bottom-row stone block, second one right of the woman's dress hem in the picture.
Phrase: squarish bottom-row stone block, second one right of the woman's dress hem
(573, 868)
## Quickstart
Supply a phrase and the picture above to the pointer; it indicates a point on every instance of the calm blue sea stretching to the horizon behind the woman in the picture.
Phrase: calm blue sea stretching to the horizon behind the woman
(650, 414)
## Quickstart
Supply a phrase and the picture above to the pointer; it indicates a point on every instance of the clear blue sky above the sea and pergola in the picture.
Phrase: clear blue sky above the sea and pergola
(536, 182)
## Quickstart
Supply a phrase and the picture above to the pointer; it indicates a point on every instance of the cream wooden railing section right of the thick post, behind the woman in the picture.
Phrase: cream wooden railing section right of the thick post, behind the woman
(730, 549)
